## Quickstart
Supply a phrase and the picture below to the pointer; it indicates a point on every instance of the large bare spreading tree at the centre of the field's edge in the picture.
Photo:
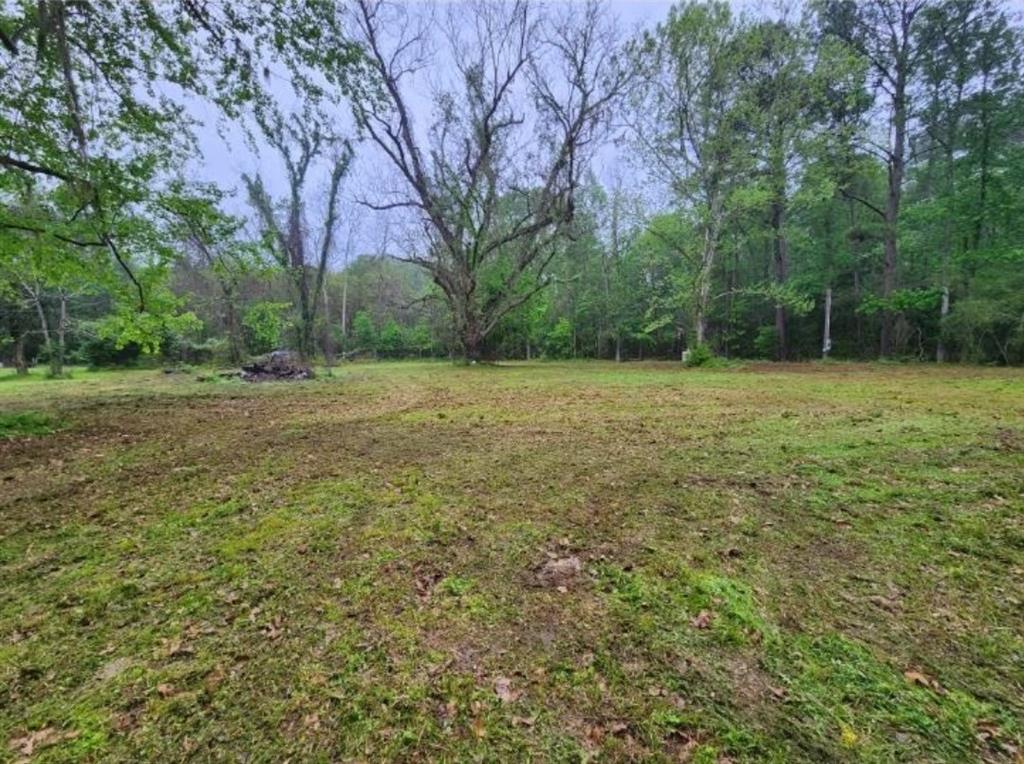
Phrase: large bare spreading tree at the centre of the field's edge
(492, 183)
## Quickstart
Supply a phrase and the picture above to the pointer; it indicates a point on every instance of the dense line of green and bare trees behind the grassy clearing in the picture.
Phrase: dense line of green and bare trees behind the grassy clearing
(513, 181)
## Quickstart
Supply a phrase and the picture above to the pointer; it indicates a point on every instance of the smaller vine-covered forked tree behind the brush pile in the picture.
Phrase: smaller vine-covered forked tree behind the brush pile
(302, 143)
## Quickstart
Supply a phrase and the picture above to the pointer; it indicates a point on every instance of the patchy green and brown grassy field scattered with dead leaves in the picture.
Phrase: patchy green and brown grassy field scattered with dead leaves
(776, 564)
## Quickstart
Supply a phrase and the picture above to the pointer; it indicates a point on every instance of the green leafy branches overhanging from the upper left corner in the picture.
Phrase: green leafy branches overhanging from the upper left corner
(93, 107)
